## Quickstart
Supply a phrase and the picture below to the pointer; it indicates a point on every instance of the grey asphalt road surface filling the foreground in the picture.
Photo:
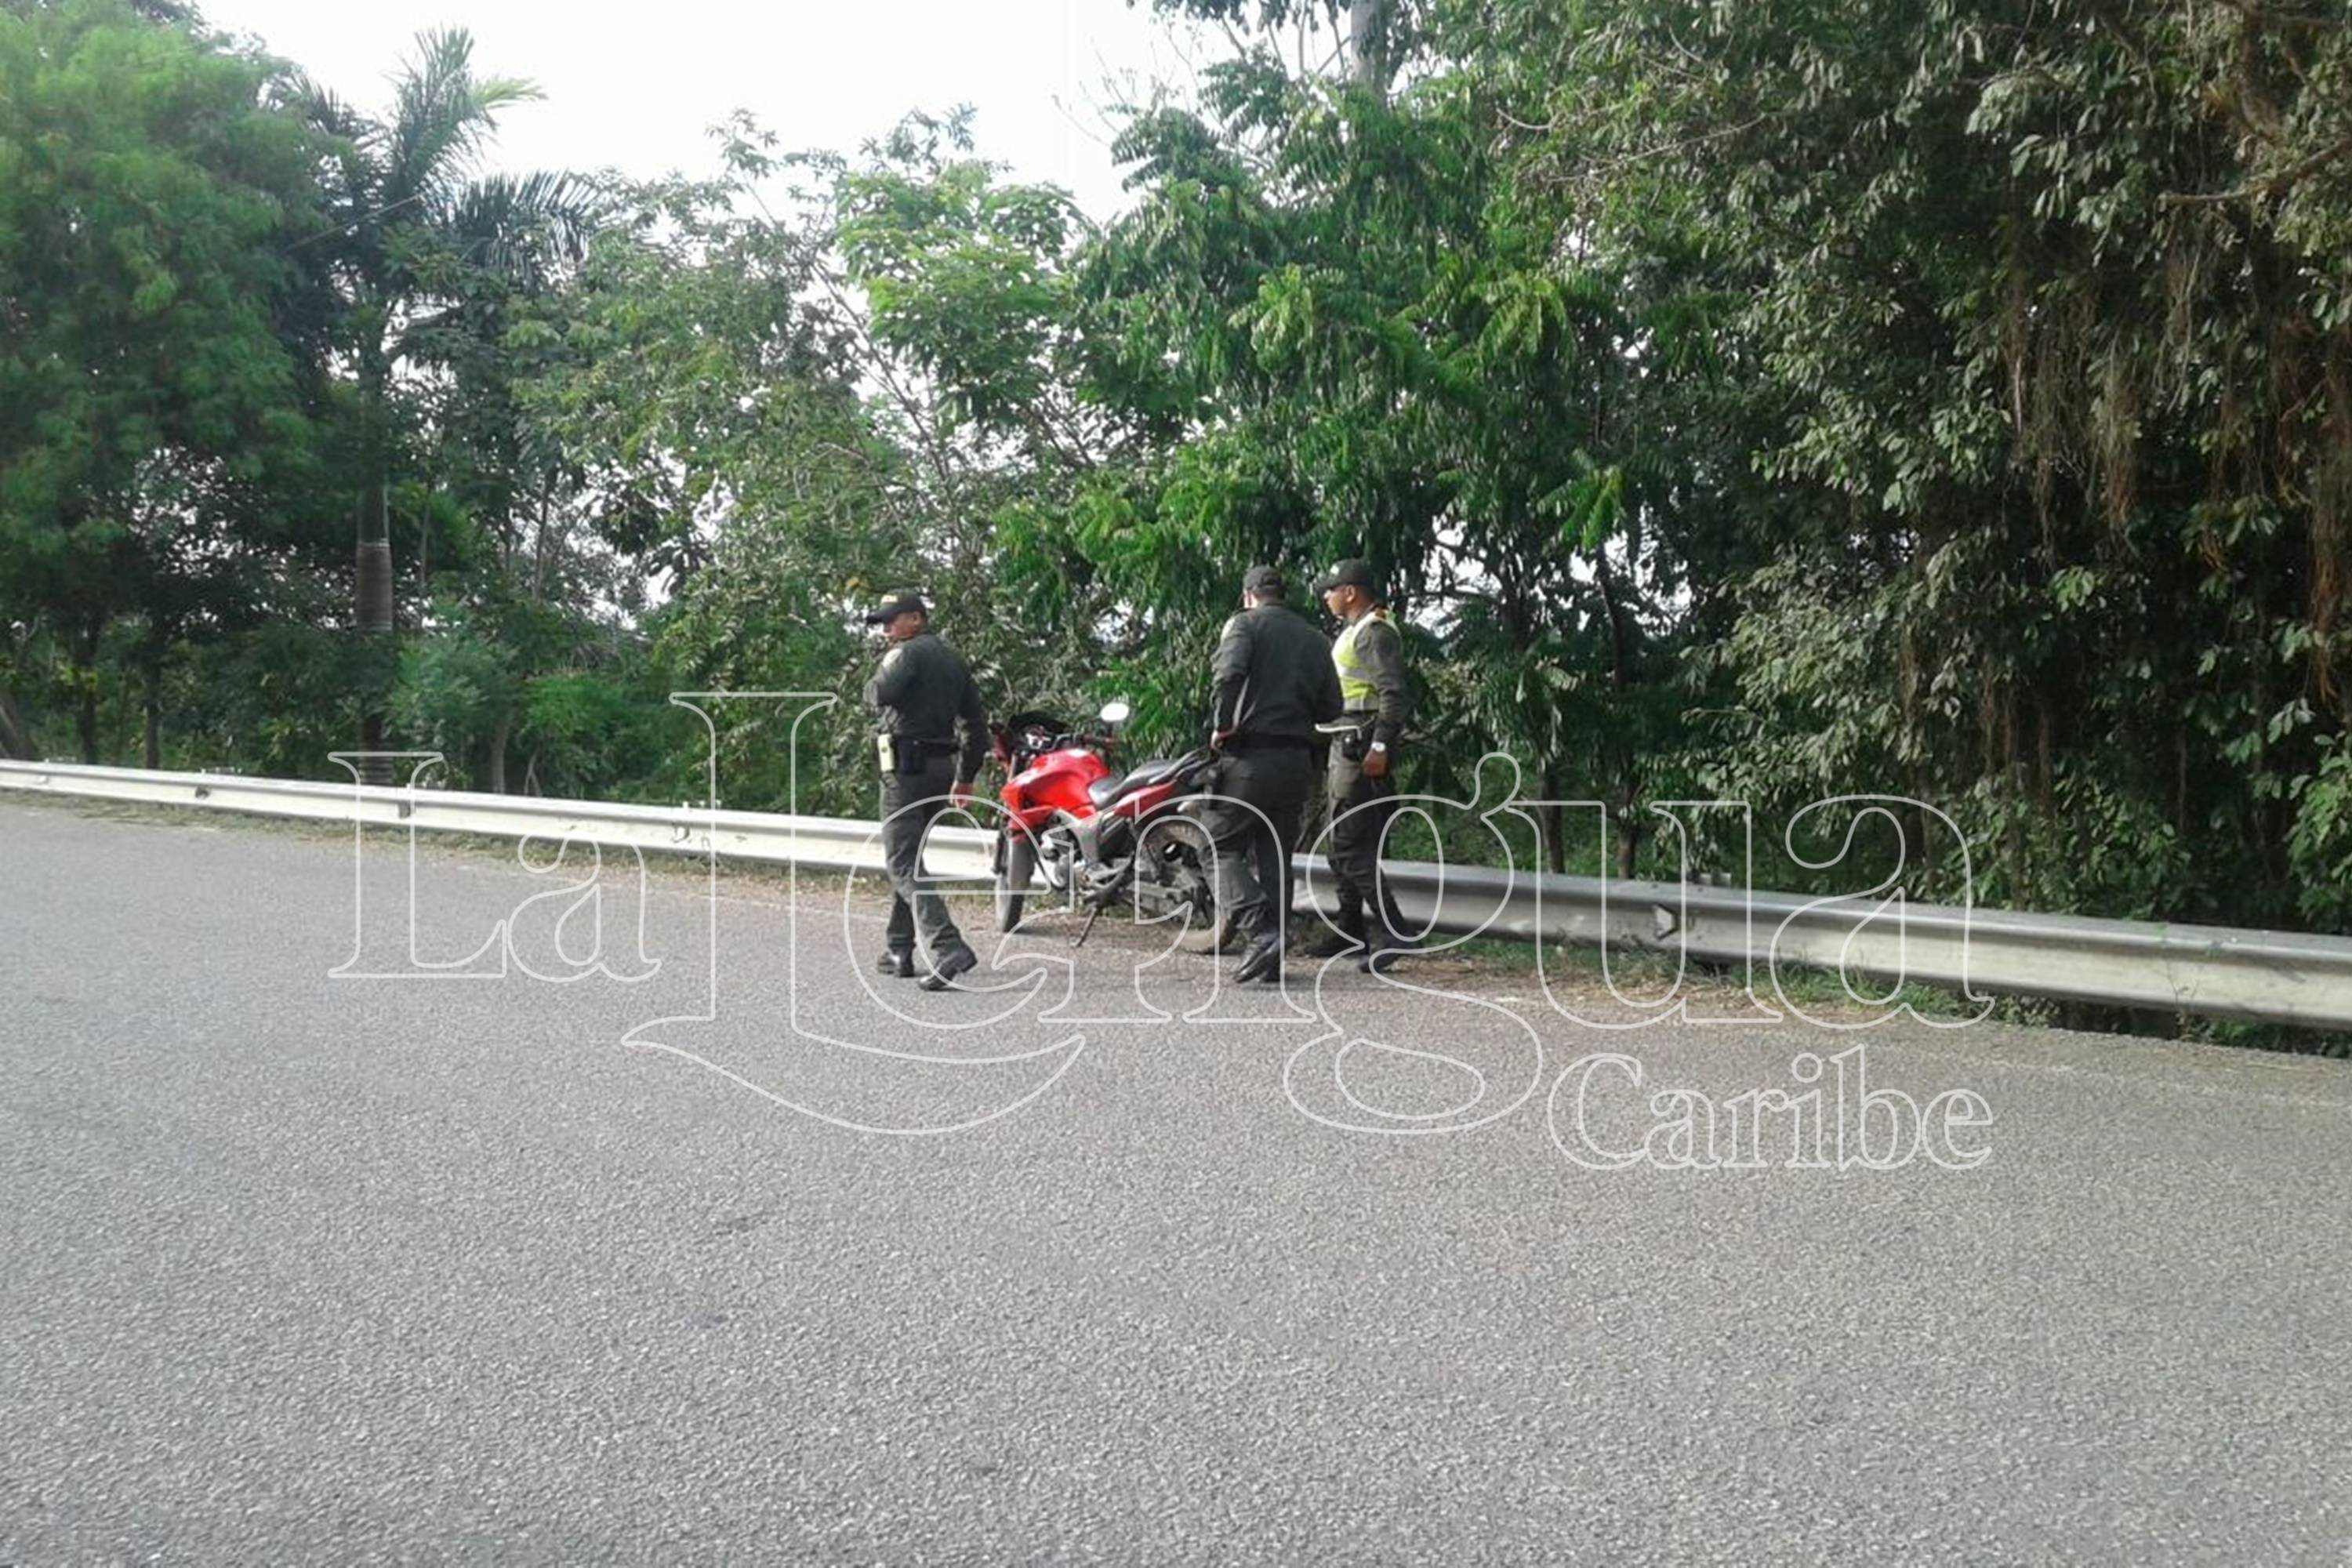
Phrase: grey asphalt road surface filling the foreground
(502, 1268)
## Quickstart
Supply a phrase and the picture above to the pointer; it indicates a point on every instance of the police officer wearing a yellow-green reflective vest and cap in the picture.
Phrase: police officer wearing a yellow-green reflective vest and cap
(1363, 789)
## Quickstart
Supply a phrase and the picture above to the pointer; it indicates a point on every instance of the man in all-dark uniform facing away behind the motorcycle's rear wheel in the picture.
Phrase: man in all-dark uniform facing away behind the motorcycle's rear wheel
(1274, 683)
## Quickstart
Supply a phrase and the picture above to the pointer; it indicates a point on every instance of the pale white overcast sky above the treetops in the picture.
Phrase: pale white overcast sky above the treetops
(636, 88)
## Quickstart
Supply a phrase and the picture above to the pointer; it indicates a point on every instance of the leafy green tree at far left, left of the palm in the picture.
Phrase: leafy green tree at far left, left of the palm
(149, 351)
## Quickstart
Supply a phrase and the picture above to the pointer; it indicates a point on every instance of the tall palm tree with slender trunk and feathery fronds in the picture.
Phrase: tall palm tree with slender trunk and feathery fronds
(408, 194)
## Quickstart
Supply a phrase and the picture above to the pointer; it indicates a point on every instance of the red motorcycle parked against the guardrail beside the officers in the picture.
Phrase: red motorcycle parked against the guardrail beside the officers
(1090, 831)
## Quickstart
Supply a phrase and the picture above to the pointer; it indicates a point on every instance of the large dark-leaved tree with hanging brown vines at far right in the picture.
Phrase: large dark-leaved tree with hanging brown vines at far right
(2040, 321)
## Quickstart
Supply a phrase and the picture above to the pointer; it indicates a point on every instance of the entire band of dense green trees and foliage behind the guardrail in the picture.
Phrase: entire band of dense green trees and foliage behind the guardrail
(1935, 398)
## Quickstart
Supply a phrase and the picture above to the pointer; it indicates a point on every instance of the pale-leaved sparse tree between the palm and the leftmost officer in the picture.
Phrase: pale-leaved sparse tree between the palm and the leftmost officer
(702, 384)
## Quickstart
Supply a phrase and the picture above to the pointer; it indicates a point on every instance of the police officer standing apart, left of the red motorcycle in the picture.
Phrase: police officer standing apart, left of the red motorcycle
(921, 695)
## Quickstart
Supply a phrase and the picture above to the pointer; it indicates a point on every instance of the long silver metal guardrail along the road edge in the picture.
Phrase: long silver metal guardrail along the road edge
(2191, 970)
